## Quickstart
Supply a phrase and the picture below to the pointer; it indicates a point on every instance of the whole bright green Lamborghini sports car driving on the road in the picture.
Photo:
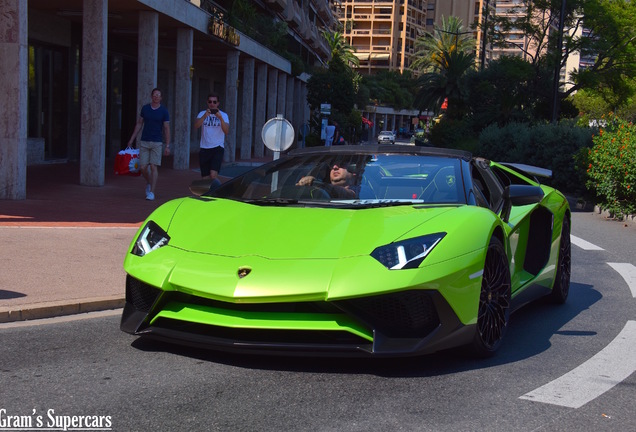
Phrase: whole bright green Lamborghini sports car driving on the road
(351, 250)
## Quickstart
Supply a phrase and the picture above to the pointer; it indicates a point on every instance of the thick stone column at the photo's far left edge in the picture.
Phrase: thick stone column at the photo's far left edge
(13, 103)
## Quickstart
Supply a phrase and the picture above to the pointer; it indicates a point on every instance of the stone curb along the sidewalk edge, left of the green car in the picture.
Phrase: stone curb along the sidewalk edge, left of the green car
(61, 308)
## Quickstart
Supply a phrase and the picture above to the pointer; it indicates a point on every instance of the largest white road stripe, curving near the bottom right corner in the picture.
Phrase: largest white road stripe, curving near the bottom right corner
(590, 380)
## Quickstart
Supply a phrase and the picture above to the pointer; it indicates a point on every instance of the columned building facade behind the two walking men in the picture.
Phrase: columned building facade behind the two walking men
(76, 73)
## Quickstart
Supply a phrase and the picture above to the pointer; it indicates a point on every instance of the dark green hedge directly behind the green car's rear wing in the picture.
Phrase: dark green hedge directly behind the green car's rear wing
(551, 146)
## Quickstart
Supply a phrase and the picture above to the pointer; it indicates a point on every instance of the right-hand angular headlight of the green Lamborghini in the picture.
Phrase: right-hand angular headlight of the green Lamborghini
(407, 254)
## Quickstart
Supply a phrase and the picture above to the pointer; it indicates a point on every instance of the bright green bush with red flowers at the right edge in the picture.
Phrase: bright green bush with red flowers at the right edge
(611, 171)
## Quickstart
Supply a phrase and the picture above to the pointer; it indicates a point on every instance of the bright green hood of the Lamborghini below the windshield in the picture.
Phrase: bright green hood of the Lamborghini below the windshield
(233, 229)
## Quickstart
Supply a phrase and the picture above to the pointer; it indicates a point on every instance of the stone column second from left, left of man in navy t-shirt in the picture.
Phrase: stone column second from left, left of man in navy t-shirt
(93, 120)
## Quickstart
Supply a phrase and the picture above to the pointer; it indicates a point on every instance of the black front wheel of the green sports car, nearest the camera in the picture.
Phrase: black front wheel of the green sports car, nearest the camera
(494, 302)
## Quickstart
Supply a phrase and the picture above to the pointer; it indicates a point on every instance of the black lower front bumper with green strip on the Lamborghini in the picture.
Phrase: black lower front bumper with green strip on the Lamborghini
(405, 323)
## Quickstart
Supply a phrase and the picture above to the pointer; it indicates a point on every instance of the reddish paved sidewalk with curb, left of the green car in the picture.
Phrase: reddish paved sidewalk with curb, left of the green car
(62, 249)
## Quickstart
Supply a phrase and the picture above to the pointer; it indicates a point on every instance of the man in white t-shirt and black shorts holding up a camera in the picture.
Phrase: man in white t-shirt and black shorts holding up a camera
(216, 125)
